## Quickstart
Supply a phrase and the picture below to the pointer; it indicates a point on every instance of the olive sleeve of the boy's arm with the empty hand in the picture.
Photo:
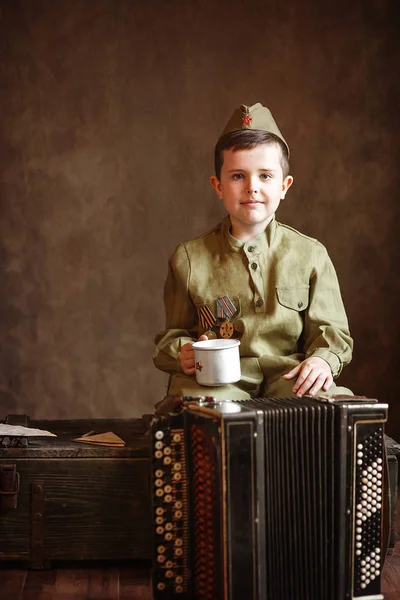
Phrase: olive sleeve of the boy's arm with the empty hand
(326, 330)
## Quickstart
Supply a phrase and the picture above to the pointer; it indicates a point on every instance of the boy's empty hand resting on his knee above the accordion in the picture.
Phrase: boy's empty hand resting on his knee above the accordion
(312, 374)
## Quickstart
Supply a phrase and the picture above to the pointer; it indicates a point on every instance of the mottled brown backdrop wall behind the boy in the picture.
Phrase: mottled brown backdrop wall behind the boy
(109, 113)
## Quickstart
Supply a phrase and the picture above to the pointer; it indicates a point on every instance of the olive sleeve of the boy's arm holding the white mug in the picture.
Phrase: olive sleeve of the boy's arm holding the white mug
(180, 314)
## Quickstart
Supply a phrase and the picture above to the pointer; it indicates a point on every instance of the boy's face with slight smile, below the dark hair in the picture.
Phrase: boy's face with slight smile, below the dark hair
(251, 187)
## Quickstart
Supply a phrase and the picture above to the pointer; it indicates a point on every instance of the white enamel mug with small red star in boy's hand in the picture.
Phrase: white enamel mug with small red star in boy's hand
(217, 362)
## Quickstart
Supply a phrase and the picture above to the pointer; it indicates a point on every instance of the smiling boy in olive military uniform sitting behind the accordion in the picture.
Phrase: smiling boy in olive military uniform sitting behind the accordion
(255, 279)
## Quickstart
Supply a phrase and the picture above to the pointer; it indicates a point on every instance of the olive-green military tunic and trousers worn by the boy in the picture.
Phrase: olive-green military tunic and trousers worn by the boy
(287, 303)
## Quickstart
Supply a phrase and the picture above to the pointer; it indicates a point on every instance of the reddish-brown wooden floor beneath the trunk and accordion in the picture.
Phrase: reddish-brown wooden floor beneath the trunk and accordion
(120, 582)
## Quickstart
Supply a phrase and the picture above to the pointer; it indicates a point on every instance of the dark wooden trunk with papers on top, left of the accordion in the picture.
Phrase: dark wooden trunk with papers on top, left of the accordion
(77, 501)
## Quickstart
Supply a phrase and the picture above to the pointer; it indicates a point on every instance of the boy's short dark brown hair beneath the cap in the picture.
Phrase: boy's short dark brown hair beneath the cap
(246, 139)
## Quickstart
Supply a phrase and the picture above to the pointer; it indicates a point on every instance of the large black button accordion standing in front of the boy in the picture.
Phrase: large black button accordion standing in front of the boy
(269, 499)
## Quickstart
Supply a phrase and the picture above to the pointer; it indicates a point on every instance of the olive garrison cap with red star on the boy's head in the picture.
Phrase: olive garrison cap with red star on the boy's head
(256, 116)
